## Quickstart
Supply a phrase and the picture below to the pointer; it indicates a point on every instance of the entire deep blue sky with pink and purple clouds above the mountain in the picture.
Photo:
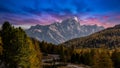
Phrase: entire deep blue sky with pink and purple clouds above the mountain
(26, 13)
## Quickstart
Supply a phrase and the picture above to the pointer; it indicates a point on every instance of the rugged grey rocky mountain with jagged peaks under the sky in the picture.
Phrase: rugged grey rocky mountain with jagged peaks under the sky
(59, 32)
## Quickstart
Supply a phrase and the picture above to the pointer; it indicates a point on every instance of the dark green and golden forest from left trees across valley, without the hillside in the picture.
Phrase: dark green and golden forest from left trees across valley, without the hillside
(17, 50)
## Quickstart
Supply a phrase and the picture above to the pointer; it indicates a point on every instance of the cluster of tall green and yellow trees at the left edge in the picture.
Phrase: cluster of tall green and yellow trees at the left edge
(17, 50)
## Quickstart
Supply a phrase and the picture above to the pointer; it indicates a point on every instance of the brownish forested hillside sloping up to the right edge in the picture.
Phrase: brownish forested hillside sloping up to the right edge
(108, 38)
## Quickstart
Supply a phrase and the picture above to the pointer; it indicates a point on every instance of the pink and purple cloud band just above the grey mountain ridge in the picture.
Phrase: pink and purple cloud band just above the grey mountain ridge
(46, 19)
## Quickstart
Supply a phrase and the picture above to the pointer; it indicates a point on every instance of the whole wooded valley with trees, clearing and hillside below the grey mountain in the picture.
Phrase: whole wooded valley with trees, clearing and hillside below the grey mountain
(98, 50)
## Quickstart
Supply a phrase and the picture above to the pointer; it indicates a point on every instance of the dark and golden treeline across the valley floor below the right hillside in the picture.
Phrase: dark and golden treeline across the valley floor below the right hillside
(93, 57)
